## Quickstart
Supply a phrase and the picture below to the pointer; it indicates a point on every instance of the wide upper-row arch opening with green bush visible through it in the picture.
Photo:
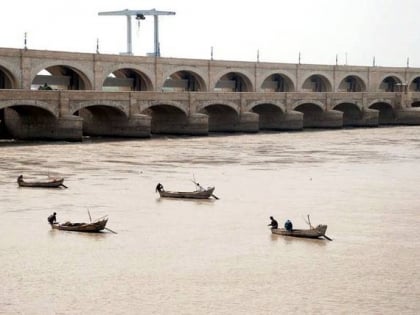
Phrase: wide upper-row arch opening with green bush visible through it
(62, 77)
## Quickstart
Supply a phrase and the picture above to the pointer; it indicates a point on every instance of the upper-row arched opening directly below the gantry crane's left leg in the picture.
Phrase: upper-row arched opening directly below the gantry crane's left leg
(127, 80)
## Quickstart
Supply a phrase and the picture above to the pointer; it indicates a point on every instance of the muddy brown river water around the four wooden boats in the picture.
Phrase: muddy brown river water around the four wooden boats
(215, 256)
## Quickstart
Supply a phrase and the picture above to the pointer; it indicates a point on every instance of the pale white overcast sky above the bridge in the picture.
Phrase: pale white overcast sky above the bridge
(322, 31)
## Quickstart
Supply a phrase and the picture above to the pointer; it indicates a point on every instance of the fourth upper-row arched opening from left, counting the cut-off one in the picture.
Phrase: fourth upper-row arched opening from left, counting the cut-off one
(184, 81)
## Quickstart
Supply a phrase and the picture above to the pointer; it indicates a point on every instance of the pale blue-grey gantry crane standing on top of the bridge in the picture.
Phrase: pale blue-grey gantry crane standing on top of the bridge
(140, 15)
